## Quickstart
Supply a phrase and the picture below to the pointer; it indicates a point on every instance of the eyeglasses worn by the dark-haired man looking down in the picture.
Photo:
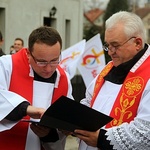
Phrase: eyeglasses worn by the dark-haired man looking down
(53, 63)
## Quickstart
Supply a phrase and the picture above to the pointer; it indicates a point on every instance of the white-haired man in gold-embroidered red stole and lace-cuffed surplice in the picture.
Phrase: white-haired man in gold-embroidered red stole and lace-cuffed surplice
(122, 89)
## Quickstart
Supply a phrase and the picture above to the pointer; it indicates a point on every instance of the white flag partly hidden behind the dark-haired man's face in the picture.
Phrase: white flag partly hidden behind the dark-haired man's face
(71, 56)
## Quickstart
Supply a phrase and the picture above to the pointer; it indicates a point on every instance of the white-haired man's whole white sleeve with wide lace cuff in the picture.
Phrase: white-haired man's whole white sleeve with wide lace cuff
(136, 134)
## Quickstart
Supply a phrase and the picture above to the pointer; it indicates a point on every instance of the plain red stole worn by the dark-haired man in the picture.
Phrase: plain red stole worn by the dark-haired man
(22, 84)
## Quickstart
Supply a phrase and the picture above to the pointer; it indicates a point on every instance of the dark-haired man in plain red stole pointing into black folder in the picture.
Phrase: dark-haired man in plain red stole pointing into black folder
(32, 78)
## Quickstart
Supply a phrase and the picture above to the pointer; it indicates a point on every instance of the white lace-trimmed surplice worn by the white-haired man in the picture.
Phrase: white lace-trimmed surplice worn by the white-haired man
(134, 135)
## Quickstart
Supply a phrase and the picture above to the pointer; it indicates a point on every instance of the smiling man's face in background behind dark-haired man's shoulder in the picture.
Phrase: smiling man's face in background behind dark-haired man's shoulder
(18, 44)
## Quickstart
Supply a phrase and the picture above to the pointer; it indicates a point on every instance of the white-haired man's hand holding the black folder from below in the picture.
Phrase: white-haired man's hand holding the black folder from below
(90, 138)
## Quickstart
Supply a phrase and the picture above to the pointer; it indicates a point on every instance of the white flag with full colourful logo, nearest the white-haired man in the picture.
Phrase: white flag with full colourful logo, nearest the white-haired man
(92, 60)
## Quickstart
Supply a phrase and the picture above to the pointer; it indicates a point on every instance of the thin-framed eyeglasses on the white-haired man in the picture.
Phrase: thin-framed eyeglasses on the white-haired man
(114, 47)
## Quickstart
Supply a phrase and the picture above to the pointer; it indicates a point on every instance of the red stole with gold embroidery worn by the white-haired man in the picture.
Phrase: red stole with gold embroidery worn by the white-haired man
(127, 101)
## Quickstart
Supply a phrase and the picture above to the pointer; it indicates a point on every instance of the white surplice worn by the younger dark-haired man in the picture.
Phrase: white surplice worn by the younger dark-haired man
(42, 95)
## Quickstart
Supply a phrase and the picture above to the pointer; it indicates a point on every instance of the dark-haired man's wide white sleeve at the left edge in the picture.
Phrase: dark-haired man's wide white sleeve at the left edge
(8, 100)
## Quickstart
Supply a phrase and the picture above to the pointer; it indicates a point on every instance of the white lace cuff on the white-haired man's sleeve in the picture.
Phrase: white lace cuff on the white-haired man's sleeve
(135, 136)
